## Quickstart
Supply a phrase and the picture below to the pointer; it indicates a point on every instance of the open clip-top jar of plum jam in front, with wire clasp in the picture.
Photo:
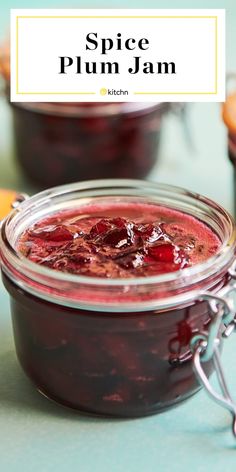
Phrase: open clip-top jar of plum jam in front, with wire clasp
(118, 289)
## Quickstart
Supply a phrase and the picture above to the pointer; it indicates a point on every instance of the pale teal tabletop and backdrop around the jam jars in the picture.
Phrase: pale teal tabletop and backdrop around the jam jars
(39, 436)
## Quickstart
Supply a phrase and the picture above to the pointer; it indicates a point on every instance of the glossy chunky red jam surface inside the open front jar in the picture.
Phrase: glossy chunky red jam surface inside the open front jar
(120, 241)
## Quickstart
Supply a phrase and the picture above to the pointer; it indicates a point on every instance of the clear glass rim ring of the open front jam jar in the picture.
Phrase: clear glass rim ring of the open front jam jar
(179, 285)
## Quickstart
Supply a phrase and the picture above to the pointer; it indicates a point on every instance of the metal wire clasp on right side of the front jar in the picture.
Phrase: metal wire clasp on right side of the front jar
(205, 345)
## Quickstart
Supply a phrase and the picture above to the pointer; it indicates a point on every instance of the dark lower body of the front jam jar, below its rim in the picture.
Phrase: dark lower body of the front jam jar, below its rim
(113, 364)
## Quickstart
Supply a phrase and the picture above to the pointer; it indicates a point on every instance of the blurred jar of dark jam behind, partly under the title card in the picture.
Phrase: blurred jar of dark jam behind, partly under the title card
(58, 143)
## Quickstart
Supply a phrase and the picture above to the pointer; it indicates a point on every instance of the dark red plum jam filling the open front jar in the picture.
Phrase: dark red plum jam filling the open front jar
(122, 363)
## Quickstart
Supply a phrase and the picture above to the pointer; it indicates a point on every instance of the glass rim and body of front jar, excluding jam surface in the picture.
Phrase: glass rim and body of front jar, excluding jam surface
(115, 347)
